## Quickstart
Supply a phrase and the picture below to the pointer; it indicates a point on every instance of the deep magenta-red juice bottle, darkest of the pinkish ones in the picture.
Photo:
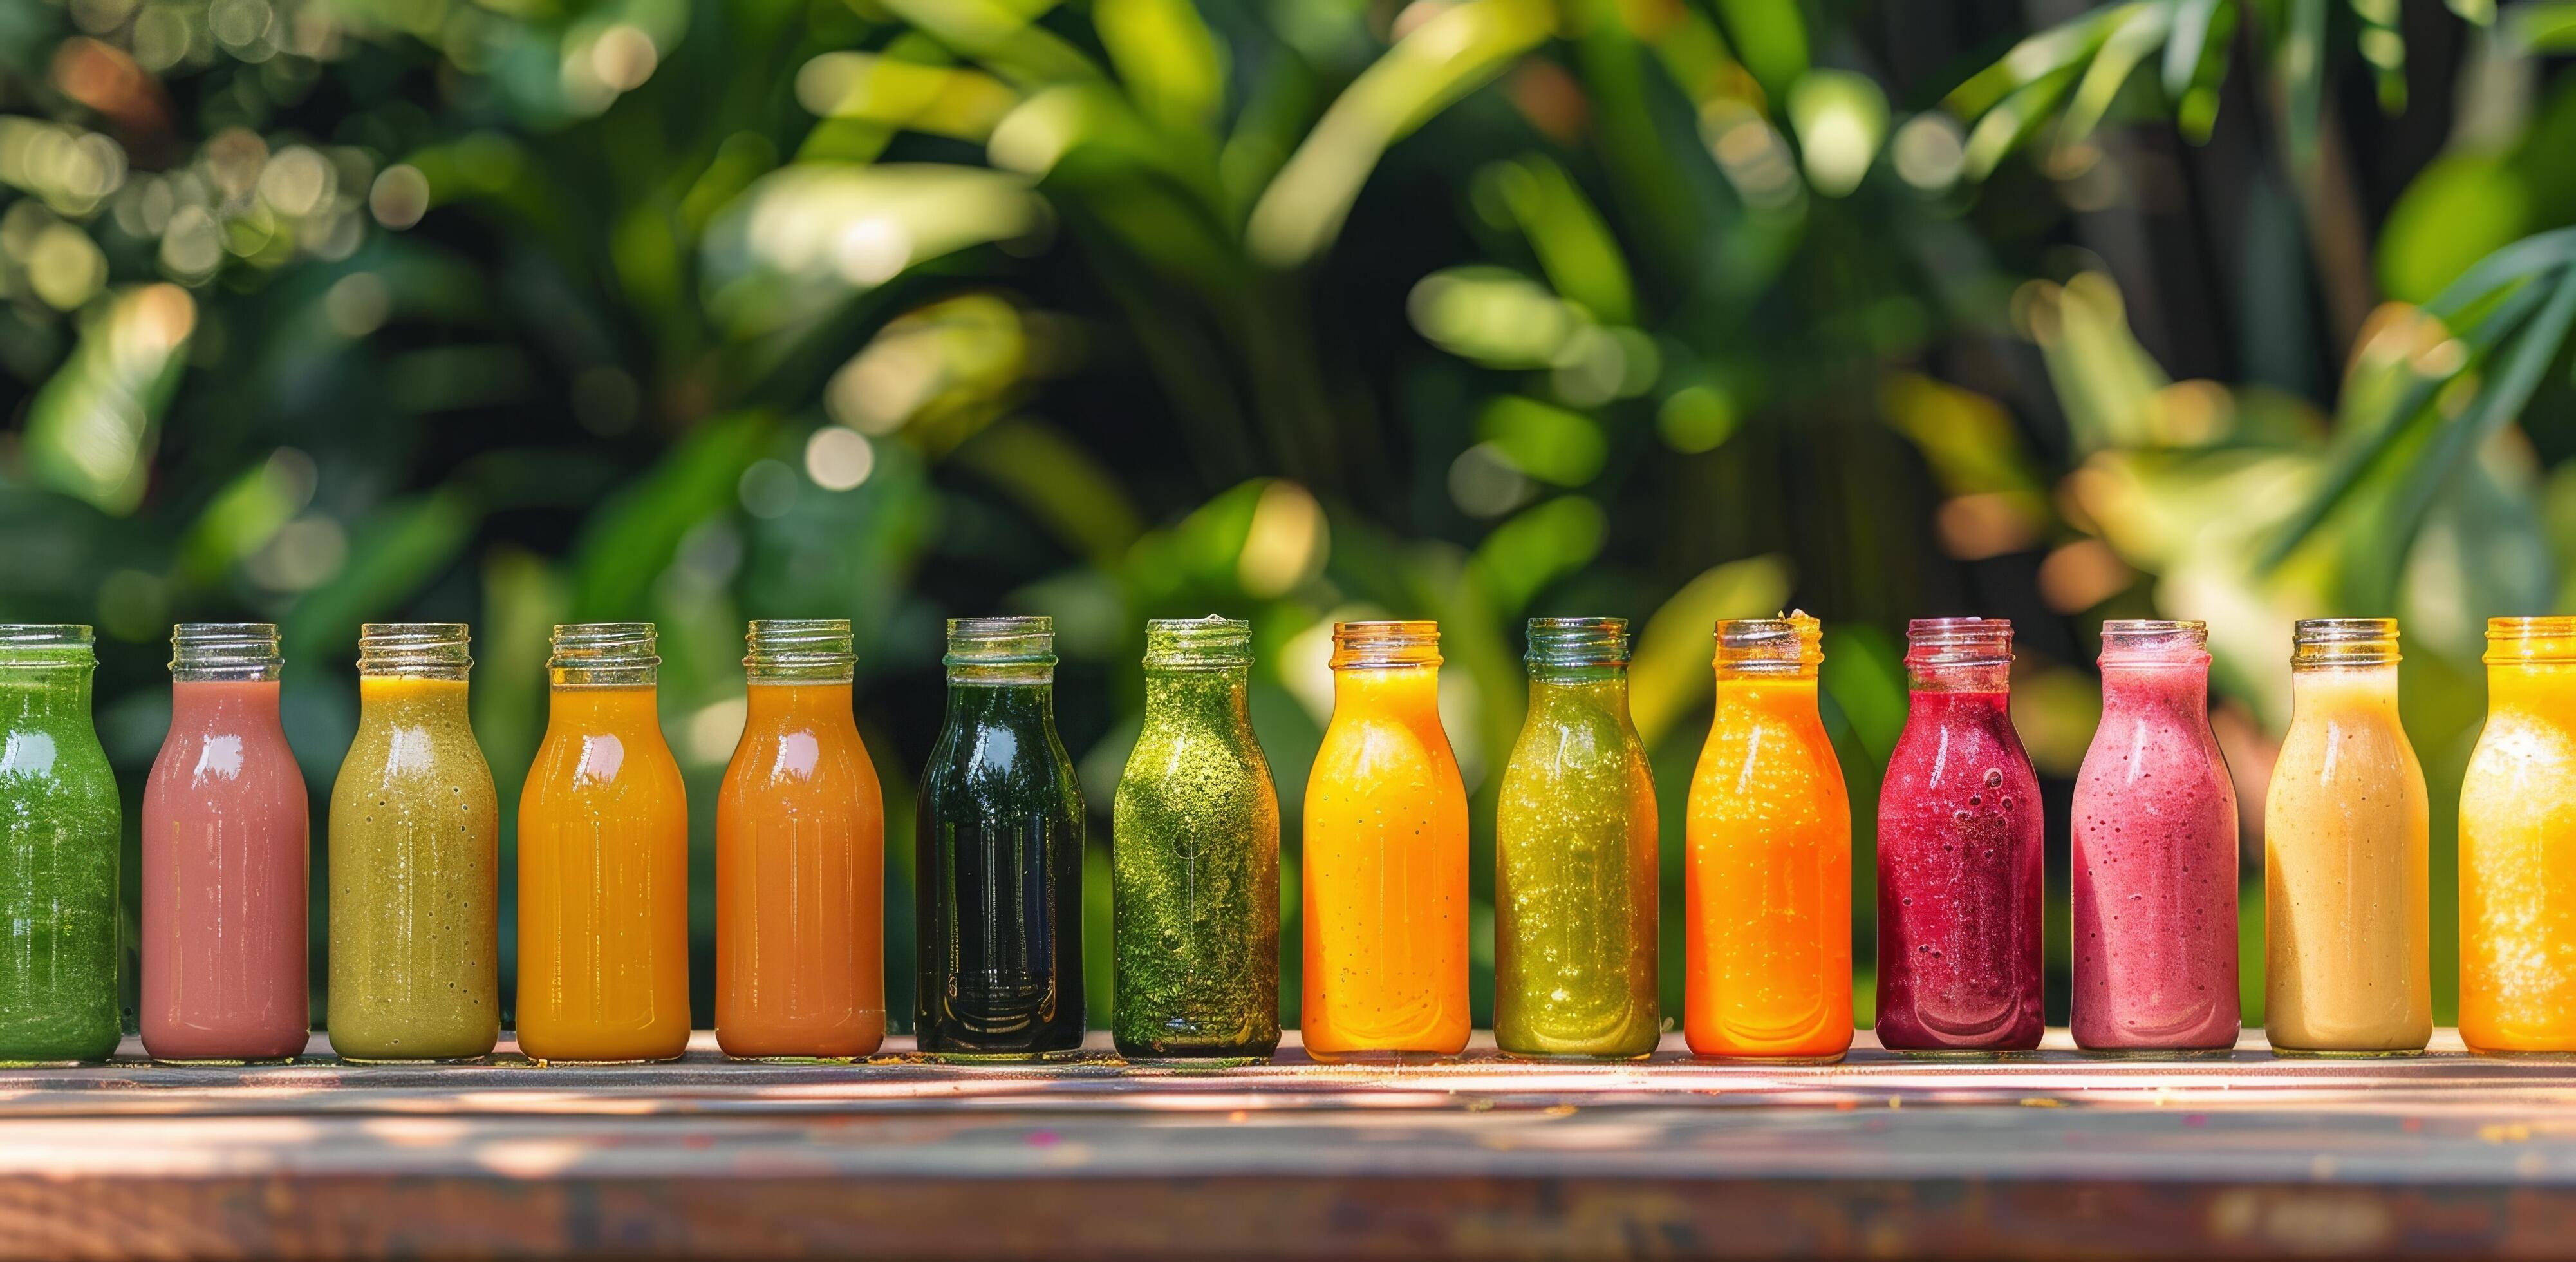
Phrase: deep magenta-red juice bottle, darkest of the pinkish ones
(1959, 854)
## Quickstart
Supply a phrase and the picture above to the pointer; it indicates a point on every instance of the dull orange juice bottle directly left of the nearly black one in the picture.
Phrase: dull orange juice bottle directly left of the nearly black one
(800, 859)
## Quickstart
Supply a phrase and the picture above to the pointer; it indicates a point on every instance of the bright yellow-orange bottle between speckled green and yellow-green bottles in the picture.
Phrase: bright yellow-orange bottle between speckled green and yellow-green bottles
(1385, 869)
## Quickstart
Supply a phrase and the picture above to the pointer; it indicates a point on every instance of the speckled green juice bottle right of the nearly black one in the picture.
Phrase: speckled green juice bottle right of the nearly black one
(1197, 856)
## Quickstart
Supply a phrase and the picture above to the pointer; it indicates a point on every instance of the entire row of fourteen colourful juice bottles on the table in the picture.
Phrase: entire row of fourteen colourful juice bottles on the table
(800, 856)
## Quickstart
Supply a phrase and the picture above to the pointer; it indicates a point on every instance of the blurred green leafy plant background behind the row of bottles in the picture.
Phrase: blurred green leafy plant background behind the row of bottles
(1300, 310)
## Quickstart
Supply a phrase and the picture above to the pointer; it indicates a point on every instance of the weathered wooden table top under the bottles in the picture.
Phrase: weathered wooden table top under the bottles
(2034, 1158)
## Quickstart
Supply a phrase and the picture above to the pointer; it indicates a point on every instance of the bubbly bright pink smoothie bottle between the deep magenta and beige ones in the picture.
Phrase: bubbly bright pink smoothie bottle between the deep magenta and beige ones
(2155, 854)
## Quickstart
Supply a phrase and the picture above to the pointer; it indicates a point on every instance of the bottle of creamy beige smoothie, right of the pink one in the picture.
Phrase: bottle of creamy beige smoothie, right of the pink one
(2345, 833)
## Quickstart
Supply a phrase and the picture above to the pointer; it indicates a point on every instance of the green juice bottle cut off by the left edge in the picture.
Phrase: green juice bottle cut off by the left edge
(61, 838)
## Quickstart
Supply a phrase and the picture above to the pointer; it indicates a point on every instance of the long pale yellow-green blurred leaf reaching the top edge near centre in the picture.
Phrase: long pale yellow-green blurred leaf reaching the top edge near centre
(1434, 66)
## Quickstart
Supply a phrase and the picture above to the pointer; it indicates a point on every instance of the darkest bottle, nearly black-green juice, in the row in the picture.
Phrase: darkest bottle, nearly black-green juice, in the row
(998, 864)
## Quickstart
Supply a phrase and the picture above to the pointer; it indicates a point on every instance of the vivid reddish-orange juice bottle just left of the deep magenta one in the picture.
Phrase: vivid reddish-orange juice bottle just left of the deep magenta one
(1768, 880)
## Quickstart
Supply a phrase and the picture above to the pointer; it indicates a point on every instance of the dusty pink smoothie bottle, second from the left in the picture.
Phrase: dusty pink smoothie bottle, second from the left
(225, 859)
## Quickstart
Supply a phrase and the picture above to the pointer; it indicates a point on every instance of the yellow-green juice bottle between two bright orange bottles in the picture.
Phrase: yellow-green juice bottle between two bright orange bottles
(1575, 859)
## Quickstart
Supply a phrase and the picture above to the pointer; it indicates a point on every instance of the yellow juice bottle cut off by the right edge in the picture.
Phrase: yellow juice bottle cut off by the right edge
(2518, 846)
